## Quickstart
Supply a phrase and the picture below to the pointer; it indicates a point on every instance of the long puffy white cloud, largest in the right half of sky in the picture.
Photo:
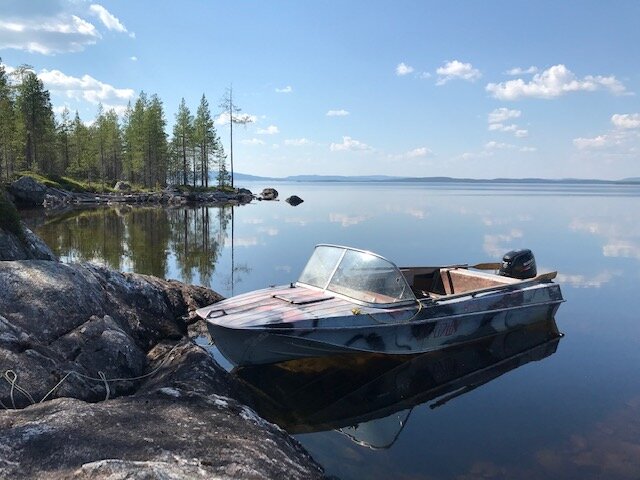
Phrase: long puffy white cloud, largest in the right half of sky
(554, 82)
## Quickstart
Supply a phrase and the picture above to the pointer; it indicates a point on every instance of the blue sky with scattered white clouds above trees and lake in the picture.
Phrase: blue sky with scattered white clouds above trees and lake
(466, 89)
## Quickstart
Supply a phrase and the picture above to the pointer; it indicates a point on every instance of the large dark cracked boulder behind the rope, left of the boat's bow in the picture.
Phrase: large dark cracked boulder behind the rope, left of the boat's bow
(85, 318)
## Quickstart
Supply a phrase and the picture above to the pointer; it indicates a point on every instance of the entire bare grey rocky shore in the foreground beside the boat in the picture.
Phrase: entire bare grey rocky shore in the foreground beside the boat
(69, 331)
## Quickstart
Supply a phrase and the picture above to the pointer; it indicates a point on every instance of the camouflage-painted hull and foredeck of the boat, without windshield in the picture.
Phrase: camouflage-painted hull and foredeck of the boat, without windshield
(284, 323)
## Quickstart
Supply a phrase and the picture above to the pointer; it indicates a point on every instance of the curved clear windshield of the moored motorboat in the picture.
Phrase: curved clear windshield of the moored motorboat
(357, 274)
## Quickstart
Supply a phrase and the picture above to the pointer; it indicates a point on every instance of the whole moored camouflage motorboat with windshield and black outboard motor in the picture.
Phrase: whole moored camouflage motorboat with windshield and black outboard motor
(348, 300)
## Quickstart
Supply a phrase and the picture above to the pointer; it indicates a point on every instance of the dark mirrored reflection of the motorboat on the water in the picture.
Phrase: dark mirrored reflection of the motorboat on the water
(370, 397)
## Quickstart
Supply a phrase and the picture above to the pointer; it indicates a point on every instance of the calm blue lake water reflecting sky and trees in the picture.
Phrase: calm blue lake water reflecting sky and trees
(530, 405)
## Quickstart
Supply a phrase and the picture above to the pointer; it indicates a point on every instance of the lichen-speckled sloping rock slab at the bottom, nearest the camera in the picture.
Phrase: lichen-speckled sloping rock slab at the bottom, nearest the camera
(182, 425)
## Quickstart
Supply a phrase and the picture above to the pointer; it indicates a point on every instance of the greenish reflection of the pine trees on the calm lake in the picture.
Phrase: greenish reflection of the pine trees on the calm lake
(140, 239)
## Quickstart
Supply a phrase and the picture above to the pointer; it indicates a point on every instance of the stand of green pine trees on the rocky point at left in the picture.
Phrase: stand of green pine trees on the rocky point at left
(134, 148)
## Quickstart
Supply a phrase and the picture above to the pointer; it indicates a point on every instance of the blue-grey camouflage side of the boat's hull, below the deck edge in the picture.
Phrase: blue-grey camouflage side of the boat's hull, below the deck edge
(277, 343)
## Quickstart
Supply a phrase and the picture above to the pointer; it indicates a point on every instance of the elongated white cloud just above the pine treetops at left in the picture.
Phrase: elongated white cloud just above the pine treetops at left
(85, 88)
